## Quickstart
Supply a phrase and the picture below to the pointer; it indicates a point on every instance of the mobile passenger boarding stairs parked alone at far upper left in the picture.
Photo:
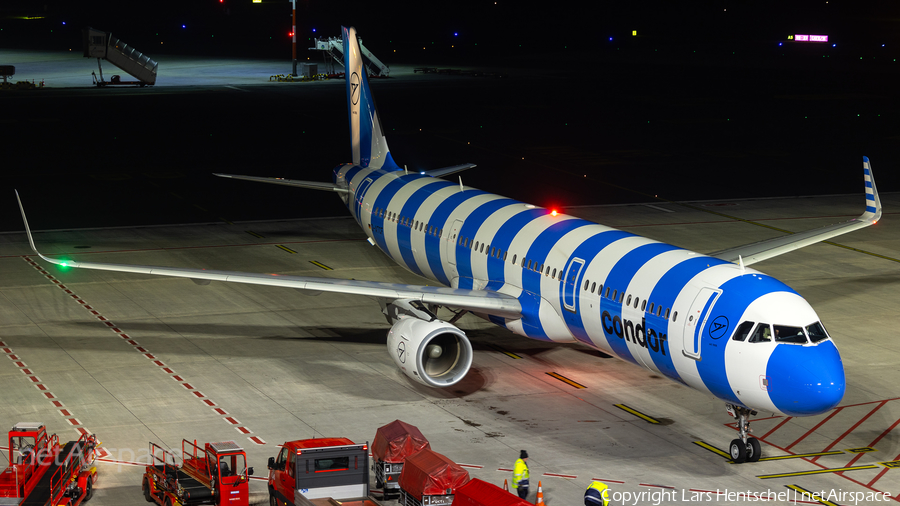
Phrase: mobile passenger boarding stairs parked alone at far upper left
(103, 46)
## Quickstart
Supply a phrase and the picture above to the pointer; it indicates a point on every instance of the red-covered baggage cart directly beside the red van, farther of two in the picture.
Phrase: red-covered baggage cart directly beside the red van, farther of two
(393, 444)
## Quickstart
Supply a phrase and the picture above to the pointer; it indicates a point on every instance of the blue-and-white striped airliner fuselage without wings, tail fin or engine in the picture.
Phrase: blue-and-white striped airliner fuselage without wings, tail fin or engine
(665, 308)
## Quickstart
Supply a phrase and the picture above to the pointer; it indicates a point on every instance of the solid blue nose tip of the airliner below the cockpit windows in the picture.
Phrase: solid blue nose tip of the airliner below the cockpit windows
(806, 380)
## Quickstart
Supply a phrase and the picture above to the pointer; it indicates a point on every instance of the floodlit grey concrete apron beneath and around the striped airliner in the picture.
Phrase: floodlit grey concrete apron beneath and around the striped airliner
(137, 358)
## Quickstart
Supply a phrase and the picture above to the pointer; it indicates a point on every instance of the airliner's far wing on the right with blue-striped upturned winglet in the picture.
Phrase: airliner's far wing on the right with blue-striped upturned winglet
(759, 251)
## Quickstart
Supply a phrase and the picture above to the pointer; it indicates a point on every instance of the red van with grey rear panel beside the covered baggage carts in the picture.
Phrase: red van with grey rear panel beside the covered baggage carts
(311, 469)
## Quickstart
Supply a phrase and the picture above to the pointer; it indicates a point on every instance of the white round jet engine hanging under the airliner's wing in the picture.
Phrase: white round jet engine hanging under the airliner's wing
(434, 353)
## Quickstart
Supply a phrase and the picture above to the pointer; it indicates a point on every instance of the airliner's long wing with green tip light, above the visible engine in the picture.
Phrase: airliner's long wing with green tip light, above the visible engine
(479, 301)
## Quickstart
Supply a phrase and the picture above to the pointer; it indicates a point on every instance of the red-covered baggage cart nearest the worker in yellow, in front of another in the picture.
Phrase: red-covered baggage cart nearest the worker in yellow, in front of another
(429, 478)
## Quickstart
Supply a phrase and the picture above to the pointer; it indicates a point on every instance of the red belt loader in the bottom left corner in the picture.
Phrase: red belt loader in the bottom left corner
(41, 471)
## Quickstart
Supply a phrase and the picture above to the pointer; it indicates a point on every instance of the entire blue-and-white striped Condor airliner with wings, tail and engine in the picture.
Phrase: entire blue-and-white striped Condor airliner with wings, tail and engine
(706, 321)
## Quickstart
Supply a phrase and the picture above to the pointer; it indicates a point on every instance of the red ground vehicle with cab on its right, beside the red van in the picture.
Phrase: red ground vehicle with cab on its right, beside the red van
(216, 474)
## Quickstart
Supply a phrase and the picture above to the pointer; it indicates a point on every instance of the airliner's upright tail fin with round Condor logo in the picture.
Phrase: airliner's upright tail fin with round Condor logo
(367, 139)
